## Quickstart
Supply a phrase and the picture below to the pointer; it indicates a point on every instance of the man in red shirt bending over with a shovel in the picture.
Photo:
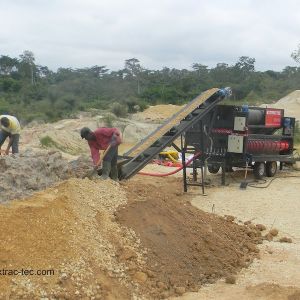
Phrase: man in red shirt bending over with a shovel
(102, 139)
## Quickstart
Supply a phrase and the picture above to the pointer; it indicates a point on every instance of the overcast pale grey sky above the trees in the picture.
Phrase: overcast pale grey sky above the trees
(172, 33)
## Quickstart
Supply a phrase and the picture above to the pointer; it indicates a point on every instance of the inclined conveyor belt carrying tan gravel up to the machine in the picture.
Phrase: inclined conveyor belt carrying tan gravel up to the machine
(173, 127)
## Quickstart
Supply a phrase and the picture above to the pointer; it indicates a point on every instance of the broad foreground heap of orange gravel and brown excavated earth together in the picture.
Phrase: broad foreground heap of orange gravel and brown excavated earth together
(105, 240)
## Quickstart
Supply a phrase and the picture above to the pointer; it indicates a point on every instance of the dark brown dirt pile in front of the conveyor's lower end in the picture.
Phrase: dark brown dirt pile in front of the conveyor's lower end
(186, 247)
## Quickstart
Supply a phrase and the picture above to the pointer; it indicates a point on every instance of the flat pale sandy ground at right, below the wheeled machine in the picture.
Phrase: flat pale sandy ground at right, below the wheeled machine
(277, 274)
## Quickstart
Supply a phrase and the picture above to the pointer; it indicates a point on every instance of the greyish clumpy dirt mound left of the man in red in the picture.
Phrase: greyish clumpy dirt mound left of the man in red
(28, 172)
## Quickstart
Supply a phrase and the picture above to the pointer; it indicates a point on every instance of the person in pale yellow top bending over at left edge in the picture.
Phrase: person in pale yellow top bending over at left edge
(10, 127)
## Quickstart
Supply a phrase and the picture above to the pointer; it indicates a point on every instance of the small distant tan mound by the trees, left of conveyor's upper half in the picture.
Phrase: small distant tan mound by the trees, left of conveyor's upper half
(157, 113)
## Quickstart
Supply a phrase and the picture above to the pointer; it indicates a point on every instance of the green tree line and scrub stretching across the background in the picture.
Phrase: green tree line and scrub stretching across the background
(32, 91)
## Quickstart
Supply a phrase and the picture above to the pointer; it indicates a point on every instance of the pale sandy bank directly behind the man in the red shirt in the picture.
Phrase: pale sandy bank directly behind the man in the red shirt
(64, 135)
